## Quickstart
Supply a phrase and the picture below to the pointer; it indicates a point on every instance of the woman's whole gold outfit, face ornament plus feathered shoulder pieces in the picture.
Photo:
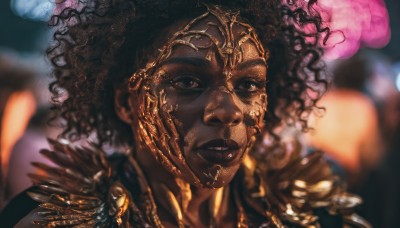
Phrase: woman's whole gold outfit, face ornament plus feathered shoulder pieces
(87, 189)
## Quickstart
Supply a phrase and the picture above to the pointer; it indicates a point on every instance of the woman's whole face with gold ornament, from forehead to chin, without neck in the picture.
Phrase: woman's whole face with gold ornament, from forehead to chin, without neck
(208, 88)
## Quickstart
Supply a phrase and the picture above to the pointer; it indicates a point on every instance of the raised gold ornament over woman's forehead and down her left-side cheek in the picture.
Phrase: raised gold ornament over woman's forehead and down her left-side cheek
(157, 129)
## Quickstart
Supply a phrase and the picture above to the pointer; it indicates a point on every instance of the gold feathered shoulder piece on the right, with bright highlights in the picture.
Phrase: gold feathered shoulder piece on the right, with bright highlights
(305, 184)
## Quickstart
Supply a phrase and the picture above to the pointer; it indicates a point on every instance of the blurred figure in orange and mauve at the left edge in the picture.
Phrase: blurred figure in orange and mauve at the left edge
(23, 127)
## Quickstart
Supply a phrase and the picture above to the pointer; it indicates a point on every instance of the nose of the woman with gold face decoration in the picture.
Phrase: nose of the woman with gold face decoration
(222, 109)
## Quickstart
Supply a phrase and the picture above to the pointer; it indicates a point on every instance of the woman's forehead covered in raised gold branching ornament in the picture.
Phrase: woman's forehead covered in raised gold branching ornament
(217, 36)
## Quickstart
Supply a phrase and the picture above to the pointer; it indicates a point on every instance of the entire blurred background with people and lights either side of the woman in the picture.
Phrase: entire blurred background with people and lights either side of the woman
(360, 129)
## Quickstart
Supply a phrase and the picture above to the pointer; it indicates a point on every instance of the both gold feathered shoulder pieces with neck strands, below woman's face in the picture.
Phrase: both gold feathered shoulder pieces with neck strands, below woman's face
(88, 190)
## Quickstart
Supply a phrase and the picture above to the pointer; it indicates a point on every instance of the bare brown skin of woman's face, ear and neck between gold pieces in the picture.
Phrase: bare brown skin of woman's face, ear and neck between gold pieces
(210, 106)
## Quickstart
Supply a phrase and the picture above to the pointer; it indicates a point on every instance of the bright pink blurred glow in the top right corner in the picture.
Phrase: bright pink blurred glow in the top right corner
(362, 22)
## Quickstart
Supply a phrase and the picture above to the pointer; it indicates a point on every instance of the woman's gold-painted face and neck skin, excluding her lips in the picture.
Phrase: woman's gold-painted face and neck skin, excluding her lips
(205, 96)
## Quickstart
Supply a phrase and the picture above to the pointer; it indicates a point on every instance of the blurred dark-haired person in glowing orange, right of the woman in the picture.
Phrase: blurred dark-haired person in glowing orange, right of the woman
(349, 130)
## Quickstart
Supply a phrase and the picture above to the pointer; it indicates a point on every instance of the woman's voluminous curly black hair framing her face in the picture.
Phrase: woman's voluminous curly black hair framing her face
(97, 48)
